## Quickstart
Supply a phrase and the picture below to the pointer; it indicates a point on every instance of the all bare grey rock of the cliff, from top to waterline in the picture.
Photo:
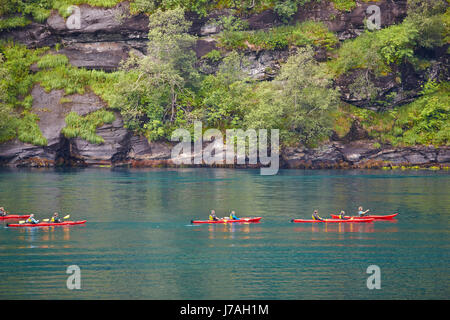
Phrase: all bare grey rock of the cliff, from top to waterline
(107, 36)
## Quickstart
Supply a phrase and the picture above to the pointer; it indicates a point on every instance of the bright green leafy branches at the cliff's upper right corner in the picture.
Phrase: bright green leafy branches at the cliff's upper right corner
(378, 50)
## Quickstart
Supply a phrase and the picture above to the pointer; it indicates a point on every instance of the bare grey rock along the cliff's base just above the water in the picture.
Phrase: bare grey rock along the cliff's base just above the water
(122, 148)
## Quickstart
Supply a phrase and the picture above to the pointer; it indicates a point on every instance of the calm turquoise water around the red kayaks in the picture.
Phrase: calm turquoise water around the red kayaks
(138, 242)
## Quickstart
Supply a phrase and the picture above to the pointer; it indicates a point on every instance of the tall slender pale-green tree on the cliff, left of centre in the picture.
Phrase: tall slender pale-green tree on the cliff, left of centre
(164, 74)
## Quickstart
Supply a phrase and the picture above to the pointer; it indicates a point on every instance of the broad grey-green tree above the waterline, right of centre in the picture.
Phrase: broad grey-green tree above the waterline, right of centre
(299, 101)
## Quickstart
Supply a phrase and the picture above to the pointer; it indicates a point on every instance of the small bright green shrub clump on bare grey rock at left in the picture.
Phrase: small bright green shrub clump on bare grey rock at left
(85, 127)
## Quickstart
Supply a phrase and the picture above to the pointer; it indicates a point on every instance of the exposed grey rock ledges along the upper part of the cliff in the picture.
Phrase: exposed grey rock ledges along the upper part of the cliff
(104, 37)
